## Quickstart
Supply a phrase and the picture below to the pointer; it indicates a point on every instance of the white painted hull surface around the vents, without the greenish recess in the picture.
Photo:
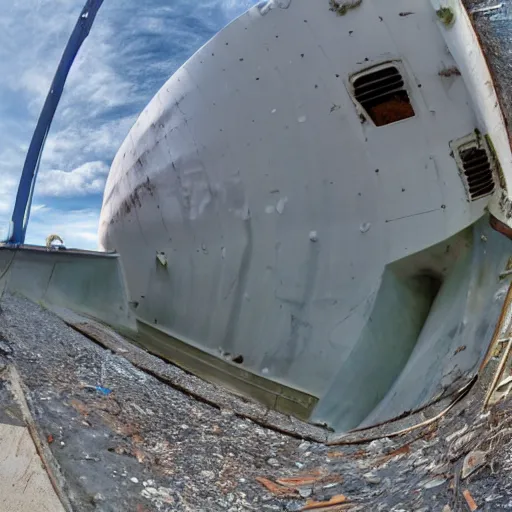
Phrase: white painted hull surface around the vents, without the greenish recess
(255, 144)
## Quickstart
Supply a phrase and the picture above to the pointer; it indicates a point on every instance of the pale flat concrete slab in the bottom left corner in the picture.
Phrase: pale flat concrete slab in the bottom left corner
(24, 484)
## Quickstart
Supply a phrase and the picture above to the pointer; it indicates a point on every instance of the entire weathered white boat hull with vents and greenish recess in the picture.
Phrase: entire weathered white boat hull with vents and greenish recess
(293, 230)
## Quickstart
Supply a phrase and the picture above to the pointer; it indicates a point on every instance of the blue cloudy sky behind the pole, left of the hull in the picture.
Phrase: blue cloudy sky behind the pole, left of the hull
(134, 47)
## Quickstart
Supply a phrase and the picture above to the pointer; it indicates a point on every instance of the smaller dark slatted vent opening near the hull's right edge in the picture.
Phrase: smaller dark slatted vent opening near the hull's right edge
(477, 172)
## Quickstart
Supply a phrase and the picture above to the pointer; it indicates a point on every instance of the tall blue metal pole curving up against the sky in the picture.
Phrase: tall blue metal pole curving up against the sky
(26, 186)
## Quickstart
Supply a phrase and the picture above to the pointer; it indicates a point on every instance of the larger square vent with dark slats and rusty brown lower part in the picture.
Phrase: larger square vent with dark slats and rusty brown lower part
(383, 96)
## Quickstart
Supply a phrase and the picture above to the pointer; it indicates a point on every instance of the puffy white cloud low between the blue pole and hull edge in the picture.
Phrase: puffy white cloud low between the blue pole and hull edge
(87, 179)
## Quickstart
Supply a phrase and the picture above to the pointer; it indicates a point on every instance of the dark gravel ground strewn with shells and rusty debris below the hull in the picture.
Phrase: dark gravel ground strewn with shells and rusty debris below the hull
(136, 443)
